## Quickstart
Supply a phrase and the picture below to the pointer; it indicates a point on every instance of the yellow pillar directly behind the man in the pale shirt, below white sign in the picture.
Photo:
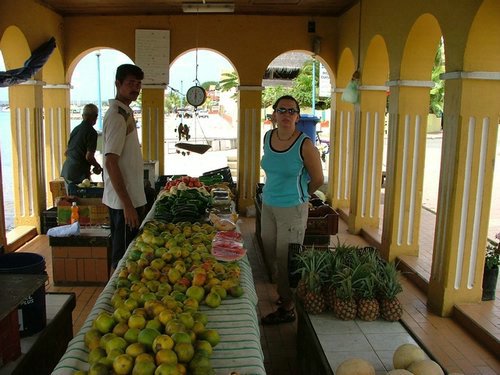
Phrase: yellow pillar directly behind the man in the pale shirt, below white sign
(153, 125)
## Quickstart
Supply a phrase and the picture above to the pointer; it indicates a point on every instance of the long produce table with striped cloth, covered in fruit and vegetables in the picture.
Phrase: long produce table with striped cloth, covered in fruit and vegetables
(182, 299)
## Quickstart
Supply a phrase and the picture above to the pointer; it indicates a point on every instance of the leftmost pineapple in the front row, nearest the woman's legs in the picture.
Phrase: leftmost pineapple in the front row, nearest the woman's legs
(313, 265)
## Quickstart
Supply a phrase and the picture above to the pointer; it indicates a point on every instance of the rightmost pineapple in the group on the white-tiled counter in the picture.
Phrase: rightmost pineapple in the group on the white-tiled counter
(390, 306)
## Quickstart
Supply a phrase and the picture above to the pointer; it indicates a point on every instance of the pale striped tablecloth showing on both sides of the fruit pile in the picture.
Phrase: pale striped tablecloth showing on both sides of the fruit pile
(235, 320)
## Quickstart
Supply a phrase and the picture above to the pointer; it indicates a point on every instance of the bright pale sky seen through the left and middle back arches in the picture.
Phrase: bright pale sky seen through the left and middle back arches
(181, 76)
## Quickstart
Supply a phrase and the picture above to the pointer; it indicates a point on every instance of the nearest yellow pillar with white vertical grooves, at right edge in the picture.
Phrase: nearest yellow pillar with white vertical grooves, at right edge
(469, 145)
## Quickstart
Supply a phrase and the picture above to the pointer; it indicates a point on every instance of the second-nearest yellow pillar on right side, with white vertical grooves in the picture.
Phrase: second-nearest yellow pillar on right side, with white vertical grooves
(408, 109)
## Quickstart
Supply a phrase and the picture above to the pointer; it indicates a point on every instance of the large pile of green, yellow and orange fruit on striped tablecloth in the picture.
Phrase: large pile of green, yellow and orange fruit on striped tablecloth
(156, 326)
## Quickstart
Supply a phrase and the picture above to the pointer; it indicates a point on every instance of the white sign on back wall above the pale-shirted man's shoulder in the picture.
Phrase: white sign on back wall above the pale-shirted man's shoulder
(152, 55)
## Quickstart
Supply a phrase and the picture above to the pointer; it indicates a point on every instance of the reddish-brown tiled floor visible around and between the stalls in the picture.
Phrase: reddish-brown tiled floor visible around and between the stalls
(446, 341)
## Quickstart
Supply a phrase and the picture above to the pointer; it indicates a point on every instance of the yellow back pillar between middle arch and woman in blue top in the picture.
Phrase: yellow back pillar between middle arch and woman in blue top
(249, 144)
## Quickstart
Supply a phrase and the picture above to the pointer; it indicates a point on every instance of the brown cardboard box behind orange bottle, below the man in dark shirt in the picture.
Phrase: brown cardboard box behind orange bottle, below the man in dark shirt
(91, 211)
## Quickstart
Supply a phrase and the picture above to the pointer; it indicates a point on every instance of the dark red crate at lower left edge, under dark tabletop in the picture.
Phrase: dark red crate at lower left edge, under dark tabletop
(10, 339)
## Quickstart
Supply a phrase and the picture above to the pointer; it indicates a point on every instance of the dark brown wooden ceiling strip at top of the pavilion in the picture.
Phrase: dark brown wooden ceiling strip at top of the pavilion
(174, 7)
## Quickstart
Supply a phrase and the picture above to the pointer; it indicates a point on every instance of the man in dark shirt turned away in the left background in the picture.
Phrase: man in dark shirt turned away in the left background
(81, 149)
